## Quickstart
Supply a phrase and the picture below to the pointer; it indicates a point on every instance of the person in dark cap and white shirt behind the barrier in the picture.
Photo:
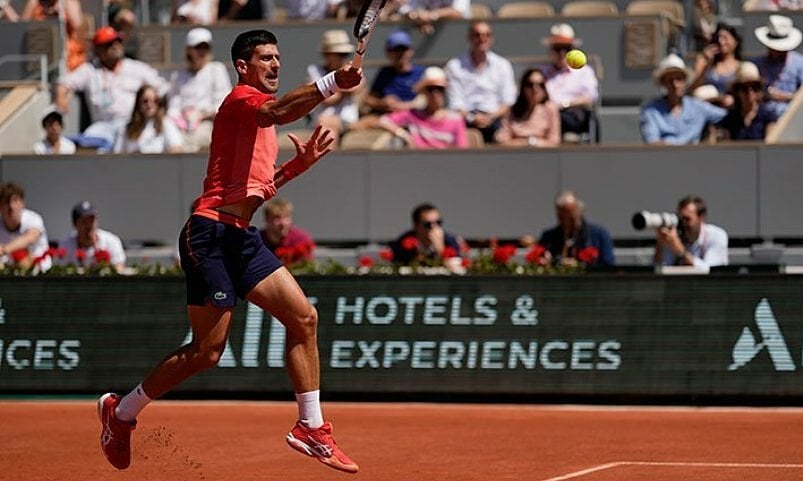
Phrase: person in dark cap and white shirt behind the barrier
(89, 245)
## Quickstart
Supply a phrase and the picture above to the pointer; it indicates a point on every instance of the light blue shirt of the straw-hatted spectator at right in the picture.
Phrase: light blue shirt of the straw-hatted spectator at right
(658, 123)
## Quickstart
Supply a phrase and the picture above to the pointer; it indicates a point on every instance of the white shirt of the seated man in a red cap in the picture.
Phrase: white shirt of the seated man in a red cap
(110, 94)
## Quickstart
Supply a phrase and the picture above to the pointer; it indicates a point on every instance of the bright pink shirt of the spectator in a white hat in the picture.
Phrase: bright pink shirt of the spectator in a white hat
(435, 132)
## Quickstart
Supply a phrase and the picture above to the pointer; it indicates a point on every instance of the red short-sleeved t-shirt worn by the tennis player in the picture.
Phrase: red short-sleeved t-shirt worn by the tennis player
(242, 153)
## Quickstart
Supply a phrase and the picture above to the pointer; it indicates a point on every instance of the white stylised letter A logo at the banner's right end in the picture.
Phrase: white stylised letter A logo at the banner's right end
(747, 346)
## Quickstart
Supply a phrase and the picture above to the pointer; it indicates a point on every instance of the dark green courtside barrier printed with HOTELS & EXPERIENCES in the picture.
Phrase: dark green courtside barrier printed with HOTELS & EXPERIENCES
(720, 337)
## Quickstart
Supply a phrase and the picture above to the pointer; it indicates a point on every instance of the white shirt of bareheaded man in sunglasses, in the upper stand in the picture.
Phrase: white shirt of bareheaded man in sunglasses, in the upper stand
(484, 90)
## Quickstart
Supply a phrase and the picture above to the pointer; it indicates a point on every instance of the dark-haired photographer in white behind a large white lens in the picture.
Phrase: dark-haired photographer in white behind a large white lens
(694, 241)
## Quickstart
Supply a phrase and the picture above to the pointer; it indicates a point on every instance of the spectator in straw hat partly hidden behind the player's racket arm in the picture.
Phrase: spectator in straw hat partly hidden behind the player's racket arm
(338, 112)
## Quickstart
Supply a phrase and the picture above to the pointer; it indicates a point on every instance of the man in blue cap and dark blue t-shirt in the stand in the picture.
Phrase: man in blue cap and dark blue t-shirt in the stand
(392, 89)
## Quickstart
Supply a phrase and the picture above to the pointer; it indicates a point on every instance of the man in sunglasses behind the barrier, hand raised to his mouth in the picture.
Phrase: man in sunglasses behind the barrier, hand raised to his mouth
(427, 243)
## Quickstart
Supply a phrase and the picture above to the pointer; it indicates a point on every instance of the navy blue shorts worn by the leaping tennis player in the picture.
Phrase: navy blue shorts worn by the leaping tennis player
(222, 262)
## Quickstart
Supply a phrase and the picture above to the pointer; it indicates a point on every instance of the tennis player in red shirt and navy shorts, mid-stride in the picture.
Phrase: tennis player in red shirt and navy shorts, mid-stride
(224, 258)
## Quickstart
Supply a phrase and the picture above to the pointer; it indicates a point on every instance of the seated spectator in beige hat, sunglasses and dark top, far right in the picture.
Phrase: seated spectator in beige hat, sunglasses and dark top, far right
(749, 118)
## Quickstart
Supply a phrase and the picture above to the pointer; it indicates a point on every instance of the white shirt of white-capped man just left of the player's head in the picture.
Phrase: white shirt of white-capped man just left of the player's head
(203, 90)
